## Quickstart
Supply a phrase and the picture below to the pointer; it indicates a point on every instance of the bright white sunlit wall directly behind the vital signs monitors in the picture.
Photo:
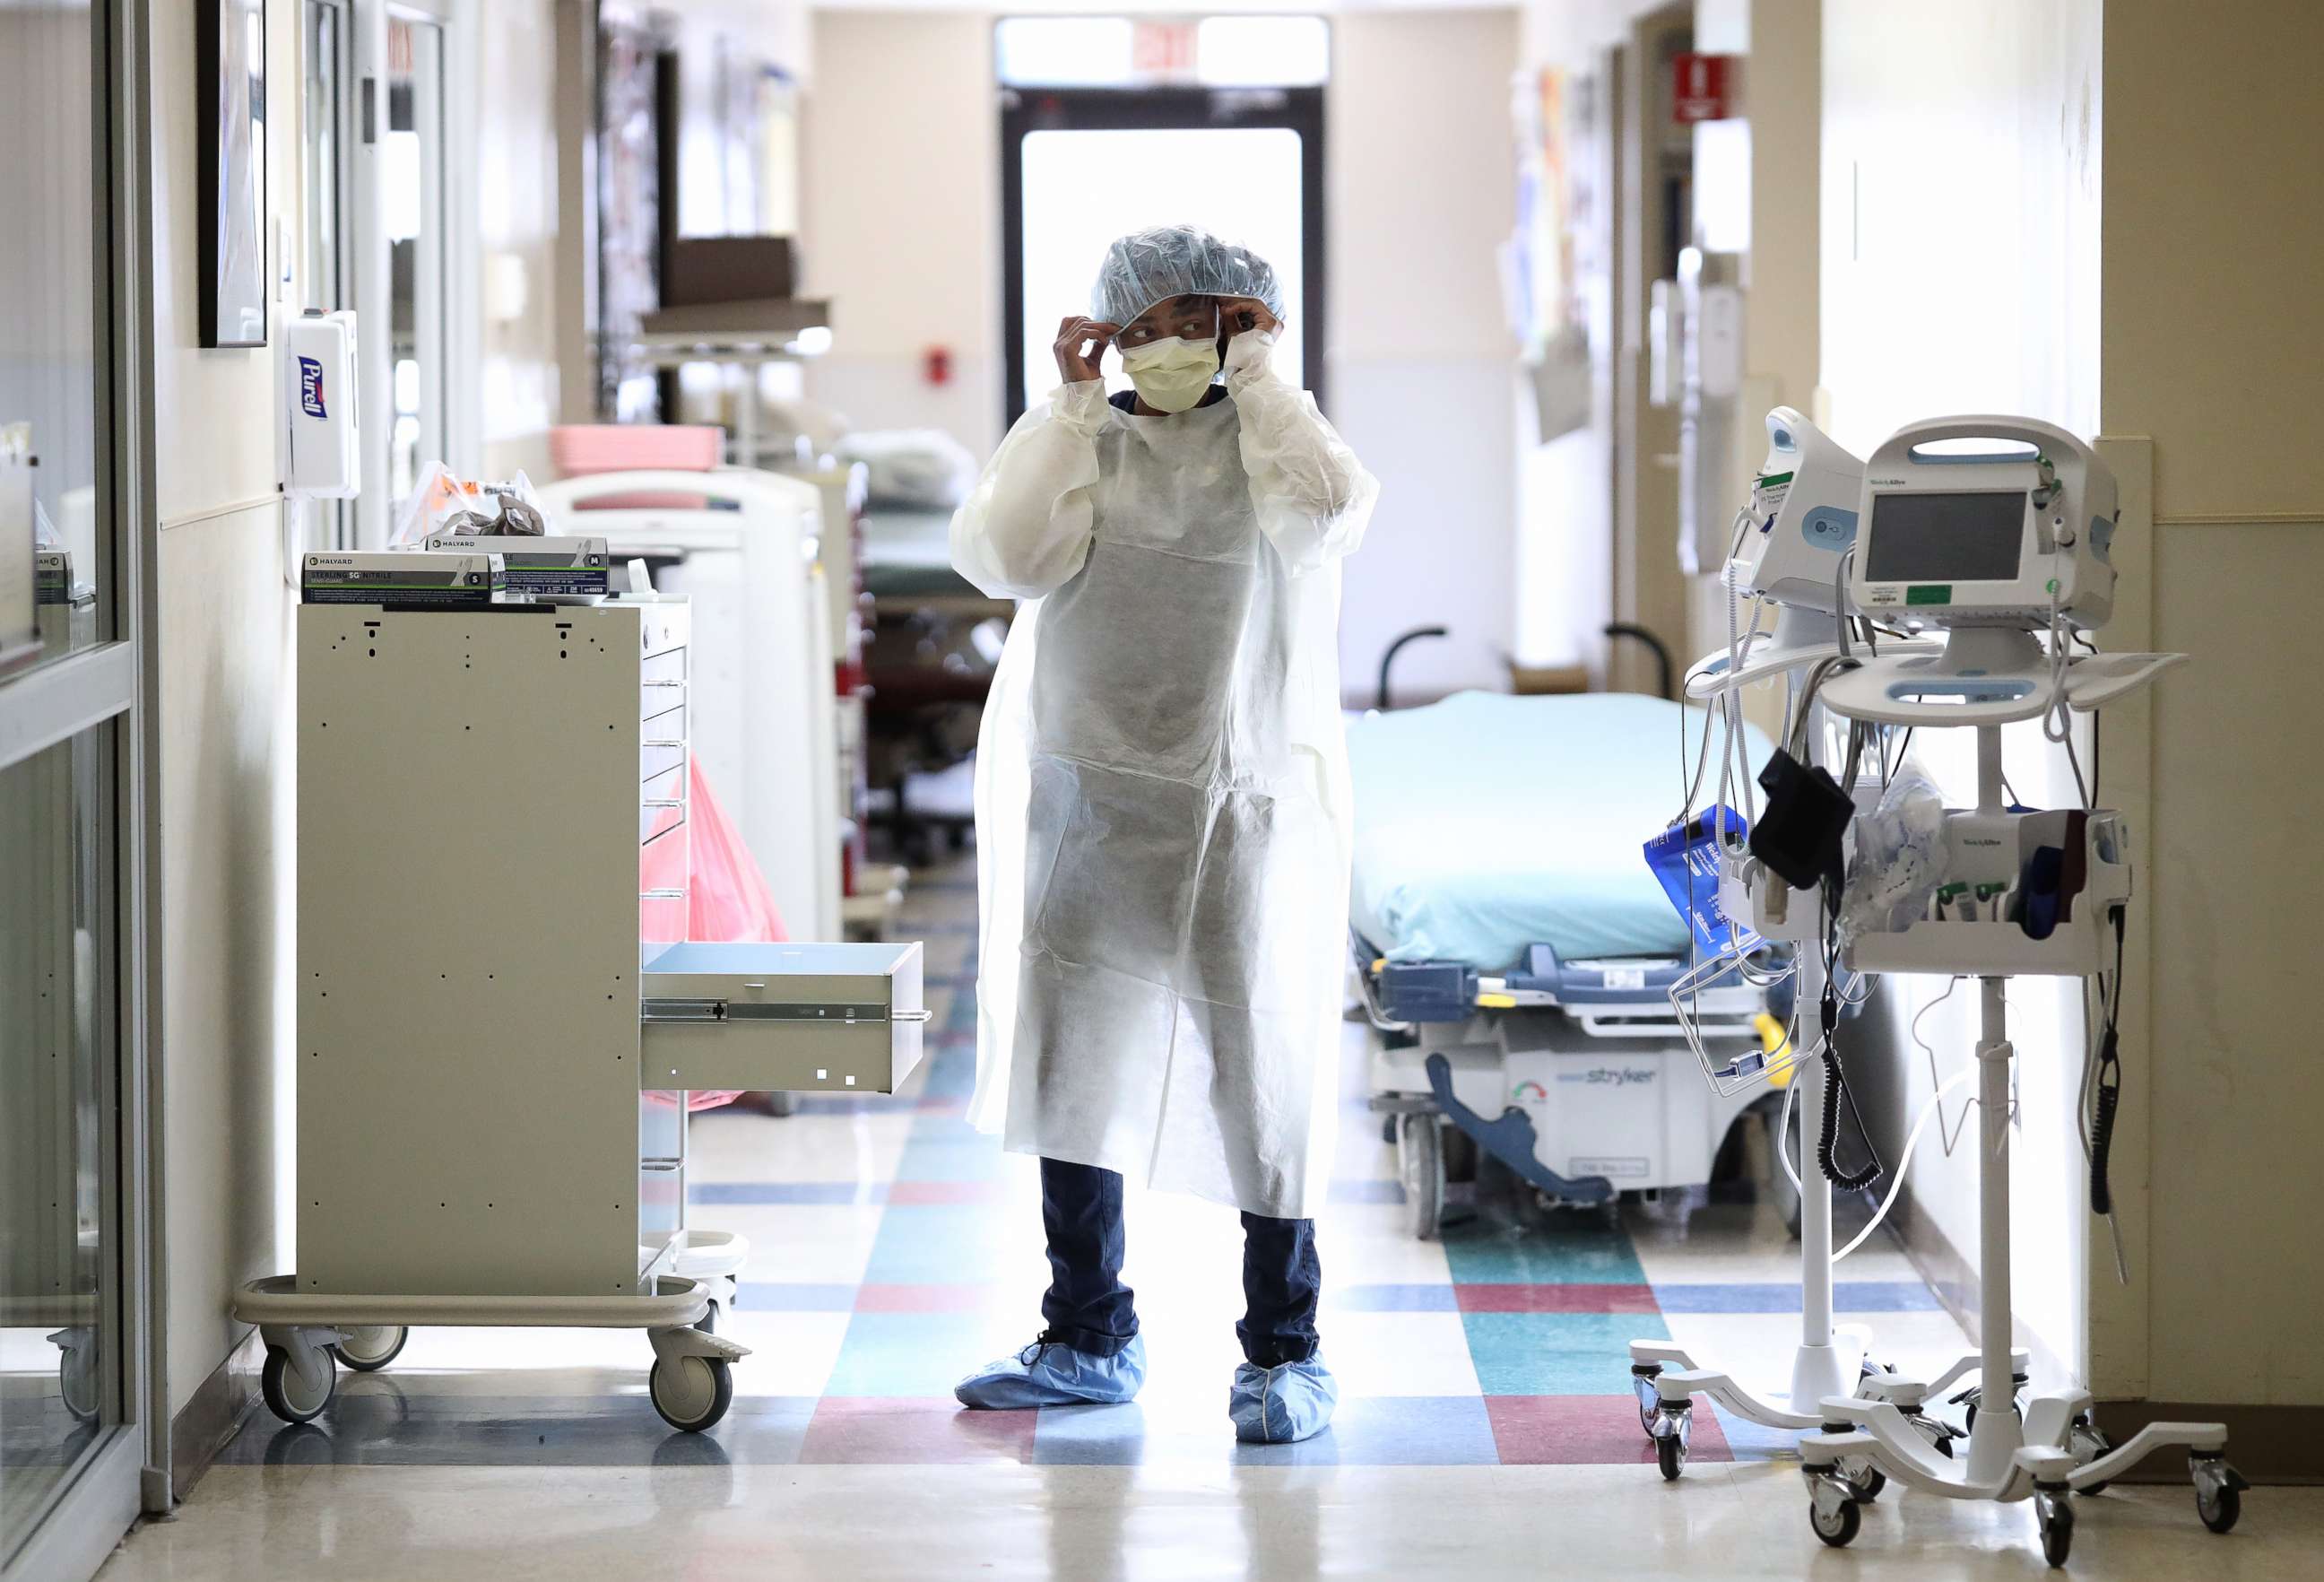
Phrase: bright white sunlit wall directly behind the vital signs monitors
(1960, 264)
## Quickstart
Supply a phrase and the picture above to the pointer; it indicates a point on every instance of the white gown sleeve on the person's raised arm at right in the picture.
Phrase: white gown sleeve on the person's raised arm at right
(1312, 496)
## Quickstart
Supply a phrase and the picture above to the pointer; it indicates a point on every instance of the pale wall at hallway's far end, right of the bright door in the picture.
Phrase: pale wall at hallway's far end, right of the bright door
(1421, 180)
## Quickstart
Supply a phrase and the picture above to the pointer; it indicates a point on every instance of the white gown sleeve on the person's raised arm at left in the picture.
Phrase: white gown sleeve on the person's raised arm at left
(1026, 526)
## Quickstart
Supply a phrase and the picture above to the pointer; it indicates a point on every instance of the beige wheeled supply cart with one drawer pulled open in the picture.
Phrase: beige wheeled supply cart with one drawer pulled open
(494, 979)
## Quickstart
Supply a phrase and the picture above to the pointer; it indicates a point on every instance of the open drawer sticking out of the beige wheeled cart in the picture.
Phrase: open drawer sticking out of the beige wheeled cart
(789, 1019)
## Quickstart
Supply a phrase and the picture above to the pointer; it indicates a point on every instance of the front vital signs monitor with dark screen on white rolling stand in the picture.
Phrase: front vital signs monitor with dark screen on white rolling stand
(1993, 547)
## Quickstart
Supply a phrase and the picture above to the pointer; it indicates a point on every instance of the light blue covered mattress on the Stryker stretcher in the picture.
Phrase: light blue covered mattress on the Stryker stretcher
(1493, 824)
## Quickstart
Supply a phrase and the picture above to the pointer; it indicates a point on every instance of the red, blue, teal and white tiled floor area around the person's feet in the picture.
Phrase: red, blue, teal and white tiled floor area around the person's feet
(894, 1249)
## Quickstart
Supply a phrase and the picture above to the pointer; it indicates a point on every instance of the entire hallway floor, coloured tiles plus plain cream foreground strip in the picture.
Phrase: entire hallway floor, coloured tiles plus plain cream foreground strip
(1484, 1425)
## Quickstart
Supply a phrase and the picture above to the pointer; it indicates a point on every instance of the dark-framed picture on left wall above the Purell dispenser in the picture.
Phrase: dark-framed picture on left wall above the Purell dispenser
(231, 106)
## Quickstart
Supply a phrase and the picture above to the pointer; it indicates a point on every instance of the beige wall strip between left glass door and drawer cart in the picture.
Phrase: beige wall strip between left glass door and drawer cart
(224, 758)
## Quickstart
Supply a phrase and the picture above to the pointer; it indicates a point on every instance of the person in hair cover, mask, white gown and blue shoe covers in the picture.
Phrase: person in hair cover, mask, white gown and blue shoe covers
(1163, 812)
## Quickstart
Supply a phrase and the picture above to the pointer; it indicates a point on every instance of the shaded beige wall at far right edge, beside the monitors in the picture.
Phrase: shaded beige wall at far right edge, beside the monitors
(2214, 229)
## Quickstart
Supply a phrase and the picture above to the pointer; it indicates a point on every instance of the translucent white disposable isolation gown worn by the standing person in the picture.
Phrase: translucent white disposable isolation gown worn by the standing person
(1163, 786)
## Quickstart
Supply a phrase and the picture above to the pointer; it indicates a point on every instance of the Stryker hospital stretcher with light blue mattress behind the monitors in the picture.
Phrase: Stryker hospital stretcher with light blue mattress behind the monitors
(1516, 956)
